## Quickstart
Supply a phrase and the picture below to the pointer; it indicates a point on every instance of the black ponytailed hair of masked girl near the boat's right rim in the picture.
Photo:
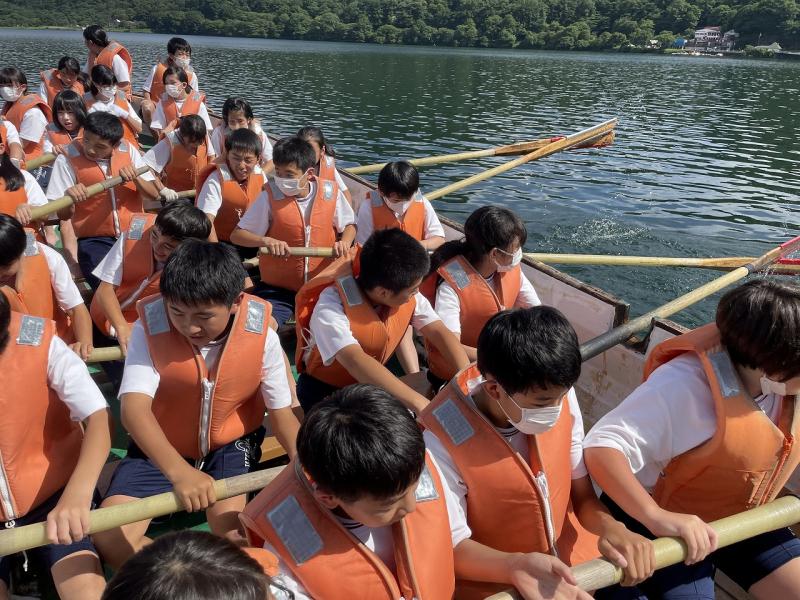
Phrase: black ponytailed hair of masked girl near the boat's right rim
(486, 228)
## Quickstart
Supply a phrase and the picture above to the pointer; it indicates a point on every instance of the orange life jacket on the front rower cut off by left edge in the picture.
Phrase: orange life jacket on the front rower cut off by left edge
(40, 443)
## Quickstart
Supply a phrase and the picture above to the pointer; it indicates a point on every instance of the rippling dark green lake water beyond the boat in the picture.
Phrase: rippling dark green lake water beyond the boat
(705, 161)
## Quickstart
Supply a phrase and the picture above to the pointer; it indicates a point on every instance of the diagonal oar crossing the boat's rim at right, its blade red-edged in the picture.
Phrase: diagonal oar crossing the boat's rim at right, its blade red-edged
(618, 335)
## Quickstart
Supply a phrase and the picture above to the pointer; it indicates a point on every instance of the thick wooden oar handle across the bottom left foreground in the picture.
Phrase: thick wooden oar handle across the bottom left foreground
(26, 537)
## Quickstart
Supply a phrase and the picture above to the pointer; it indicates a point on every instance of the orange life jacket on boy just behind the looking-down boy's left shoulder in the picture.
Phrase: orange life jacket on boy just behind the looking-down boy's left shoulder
(139, 276)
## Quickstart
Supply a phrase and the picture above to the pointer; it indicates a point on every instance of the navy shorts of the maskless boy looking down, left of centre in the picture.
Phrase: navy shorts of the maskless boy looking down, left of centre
(137, 476)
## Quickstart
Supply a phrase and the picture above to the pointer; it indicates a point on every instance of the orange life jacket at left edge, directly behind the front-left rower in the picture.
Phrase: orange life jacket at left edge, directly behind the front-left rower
(33, 293)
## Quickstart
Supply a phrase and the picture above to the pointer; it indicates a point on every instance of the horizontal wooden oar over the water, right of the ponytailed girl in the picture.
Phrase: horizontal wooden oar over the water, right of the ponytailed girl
(723, 263)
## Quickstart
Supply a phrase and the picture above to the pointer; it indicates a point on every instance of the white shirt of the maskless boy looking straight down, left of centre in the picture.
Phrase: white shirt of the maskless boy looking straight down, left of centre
(141, 377)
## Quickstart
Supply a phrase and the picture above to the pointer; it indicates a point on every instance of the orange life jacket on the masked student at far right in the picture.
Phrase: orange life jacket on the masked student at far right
(729, 473)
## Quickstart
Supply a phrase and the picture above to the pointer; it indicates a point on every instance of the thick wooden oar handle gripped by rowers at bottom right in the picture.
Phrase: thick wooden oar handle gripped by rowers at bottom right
(599, 573)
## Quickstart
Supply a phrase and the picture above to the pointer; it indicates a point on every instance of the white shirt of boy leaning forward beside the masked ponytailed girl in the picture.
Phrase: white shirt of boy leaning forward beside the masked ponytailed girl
(330, 328)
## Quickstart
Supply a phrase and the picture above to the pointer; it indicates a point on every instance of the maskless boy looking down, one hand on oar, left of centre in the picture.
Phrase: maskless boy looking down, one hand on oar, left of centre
(202, 365)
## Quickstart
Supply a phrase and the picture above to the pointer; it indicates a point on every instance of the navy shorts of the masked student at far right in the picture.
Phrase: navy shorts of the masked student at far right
(746, 563)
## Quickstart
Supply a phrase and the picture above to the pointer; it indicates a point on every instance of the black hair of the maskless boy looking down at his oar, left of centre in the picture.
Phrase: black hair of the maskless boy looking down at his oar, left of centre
(201, 272)
